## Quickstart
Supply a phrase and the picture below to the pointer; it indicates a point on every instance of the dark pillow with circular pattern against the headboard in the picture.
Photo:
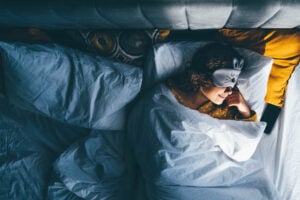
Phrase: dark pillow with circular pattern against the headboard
(128, 46)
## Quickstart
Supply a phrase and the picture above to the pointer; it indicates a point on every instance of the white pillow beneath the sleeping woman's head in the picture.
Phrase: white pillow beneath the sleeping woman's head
(166, 59)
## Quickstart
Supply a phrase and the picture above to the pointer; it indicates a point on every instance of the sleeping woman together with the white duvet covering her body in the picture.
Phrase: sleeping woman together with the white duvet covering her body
(194, 135)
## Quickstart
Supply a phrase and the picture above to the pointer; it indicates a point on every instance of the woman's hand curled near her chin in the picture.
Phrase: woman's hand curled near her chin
(236, 99)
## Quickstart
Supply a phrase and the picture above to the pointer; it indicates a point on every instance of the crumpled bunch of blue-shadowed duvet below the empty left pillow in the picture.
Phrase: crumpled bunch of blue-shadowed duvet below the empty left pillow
(97, 167)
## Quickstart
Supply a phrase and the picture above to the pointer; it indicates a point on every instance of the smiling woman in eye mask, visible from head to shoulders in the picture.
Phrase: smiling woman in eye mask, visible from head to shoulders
(209, 84)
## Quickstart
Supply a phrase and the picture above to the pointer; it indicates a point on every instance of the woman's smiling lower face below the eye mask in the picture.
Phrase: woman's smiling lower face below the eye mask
(216, 94)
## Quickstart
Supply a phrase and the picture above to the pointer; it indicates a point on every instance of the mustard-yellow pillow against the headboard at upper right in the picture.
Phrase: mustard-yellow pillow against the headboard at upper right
(281, 45)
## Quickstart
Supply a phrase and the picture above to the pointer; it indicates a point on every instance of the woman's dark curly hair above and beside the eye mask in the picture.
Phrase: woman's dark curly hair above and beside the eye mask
(205, 61)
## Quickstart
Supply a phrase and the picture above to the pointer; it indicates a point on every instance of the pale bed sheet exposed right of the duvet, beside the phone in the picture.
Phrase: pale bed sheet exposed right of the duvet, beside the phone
(279, 152)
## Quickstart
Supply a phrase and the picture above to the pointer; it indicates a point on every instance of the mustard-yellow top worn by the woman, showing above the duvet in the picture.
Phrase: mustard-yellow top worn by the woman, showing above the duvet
(218, 111)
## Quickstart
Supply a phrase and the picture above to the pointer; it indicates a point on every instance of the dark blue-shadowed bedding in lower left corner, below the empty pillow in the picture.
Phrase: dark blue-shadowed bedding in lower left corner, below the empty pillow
(29, 144)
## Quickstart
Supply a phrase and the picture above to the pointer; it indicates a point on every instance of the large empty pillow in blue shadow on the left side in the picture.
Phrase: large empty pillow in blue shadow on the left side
(68, 85)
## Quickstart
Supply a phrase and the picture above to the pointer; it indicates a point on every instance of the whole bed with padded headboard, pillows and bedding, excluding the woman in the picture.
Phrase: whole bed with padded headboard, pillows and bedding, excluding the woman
(77, 122)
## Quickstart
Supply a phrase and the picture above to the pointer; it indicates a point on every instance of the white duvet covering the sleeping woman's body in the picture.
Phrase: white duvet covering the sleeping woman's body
(183, 154)
